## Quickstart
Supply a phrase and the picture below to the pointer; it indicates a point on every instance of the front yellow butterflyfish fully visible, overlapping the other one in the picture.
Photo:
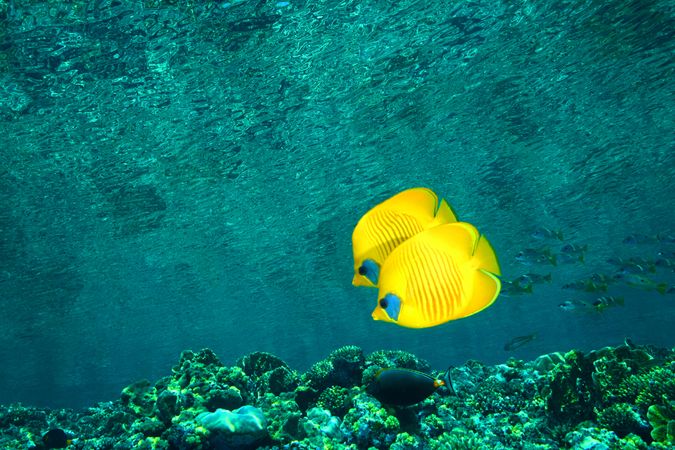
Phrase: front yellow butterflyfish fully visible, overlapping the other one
(441, 274)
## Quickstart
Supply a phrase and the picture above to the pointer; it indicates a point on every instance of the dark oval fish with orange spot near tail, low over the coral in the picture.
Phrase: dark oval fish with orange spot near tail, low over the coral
(403, 387)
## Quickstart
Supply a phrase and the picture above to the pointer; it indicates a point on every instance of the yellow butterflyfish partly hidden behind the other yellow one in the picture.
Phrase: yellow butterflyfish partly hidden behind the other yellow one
(391, 223)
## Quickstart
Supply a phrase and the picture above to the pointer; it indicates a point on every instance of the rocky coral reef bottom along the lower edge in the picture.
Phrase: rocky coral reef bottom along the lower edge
(612, 398)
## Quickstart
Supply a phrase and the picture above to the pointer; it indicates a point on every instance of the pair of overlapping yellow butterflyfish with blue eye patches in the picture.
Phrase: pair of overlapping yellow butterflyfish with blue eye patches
(429, 267)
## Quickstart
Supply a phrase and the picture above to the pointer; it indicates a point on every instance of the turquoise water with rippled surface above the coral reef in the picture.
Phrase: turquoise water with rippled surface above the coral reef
(175, 175)
